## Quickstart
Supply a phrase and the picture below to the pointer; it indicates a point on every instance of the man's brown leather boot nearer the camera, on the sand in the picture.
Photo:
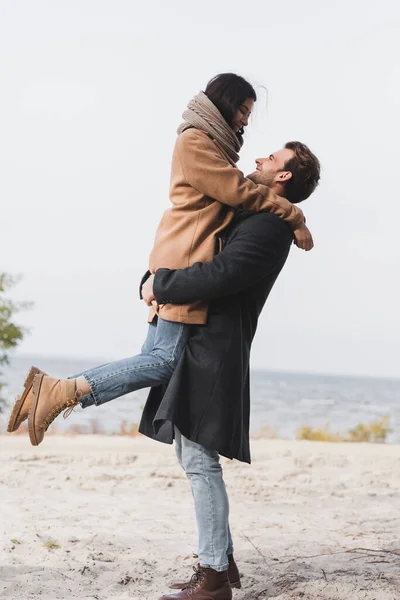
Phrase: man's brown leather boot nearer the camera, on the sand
(205, 584)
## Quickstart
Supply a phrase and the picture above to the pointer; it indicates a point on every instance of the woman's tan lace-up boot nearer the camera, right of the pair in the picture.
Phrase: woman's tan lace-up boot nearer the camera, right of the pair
(51, 397)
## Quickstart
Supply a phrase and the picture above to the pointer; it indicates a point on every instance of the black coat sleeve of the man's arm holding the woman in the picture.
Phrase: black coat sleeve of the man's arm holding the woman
(248, 257)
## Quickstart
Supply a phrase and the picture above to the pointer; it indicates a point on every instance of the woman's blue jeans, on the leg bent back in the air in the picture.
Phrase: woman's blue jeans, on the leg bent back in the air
(153, 366)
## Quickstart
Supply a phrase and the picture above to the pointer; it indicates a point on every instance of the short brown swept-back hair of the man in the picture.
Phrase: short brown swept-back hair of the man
(305, 169)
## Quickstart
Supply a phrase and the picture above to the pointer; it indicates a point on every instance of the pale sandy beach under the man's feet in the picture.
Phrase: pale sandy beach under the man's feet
(112, 517)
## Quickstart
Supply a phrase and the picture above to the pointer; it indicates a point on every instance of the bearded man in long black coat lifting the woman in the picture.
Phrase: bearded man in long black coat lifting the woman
(206, 405)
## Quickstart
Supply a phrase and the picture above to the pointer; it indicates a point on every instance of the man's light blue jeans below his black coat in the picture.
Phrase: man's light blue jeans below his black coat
(211, 503)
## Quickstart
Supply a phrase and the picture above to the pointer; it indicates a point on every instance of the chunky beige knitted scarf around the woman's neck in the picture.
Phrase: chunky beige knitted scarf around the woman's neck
(202, 114)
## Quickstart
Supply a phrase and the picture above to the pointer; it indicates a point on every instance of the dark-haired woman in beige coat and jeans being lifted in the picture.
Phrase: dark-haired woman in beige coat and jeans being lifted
(206, 187)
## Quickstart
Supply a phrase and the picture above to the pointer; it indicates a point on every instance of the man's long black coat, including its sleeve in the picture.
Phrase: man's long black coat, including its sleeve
(208, 396)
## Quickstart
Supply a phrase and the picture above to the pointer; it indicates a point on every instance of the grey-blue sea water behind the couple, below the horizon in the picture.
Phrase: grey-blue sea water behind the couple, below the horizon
(282, 401)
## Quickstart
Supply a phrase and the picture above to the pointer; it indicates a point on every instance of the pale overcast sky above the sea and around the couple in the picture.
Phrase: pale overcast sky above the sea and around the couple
(91, 94)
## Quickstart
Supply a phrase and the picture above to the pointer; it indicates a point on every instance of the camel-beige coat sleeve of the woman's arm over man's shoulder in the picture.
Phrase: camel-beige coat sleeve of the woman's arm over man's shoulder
(206, 170)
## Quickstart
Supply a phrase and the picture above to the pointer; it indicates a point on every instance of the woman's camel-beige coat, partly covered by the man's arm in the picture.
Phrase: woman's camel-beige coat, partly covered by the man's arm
(205, 191)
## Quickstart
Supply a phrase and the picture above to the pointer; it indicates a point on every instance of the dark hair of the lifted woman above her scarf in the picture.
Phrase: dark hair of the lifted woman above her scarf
(228, 91)
